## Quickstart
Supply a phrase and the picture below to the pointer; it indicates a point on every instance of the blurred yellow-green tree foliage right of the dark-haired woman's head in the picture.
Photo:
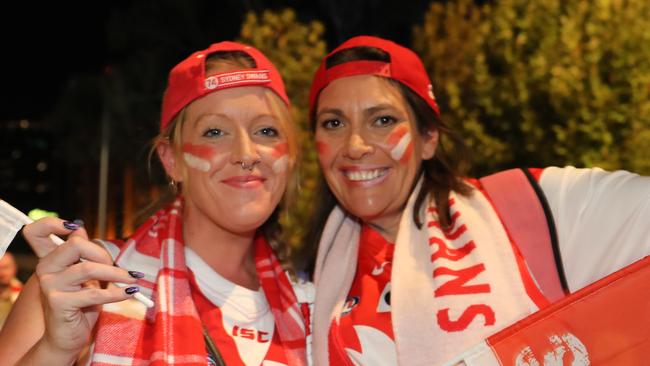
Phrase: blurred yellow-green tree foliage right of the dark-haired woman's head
(544, 82)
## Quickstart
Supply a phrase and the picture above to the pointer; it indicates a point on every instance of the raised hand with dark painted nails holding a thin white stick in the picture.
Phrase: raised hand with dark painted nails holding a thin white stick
(69, 276)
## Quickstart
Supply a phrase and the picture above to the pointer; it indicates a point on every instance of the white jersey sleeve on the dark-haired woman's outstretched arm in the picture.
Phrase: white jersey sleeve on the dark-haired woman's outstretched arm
(602, 220)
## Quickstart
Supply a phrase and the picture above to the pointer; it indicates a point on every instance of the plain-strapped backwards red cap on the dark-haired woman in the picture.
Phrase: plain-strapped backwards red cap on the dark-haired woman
(404, 66)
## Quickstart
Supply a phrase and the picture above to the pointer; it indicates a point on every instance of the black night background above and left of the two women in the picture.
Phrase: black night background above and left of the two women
(52, 50)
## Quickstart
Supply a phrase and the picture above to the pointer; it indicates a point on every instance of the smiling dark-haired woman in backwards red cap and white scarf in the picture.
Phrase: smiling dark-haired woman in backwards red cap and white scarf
(414, 263)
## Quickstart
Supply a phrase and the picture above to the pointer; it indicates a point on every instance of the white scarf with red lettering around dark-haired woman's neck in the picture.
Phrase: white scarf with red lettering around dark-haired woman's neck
(449, 289)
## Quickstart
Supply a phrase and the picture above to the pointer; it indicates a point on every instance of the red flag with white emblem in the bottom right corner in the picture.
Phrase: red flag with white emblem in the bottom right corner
(605, 323)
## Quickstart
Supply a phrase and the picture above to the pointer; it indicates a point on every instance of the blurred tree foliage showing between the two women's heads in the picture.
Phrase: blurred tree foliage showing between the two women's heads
(296, 50)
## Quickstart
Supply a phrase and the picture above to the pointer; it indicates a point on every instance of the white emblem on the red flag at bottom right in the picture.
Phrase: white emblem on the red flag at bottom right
(565, 348)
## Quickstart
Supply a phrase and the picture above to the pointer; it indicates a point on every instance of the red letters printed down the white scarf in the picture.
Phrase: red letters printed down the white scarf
(453, 249)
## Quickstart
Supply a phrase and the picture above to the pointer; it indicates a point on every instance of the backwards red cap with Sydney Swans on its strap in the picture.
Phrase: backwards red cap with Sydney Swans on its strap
(188, 81)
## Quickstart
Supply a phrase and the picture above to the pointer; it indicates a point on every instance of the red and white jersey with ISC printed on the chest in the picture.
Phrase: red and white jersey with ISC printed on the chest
(238, 319)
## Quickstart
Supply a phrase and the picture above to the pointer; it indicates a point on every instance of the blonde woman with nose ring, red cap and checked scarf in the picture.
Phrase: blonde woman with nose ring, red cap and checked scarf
(207, 259)
